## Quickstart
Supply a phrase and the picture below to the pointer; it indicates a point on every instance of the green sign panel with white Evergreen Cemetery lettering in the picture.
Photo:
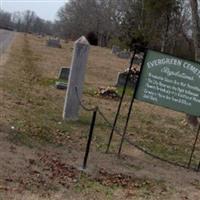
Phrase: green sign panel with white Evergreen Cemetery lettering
(170, 82)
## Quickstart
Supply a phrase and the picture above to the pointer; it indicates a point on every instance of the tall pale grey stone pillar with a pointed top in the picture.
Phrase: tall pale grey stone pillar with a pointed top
(76, 79)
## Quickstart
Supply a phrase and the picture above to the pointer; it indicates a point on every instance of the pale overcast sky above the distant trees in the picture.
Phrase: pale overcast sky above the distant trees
(45, 9)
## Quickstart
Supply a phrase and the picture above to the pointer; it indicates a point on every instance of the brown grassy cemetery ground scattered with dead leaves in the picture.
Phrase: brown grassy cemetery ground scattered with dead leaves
(41, 154)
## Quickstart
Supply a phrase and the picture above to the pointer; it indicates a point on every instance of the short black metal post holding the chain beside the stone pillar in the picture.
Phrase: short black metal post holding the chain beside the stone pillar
(89, 139)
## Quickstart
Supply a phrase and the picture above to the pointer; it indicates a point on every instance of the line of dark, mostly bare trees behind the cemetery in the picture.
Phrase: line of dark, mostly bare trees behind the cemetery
(166, 25)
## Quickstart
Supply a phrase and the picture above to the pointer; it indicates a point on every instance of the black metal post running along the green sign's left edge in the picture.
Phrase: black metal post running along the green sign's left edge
(131, 105)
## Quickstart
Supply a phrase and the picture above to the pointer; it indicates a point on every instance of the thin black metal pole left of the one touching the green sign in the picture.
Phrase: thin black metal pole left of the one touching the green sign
(120, 103)
